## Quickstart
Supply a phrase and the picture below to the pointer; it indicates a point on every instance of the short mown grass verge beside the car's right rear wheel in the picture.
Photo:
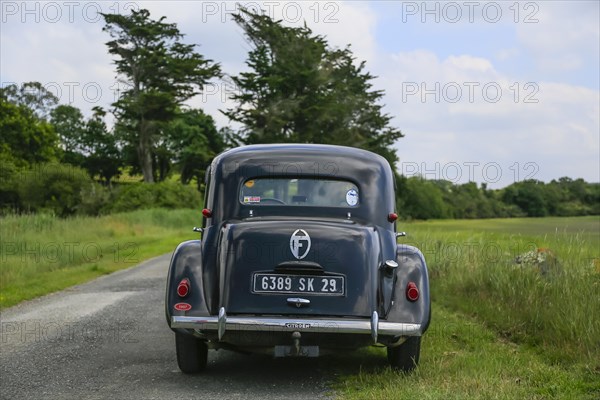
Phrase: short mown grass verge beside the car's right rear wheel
(463, 359)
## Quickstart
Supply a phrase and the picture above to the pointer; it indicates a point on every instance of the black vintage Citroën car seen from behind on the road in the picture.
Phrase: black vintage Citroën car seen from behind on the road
(298, 256)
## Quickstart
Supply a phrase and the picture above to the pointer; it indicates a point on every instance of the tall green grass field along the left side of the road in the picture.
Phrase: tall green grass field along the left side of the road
(41, 253)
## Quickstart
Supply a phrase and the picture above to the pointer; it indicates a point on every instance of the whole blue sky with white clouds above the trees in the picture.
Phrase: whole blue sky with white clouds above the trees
(493, 92)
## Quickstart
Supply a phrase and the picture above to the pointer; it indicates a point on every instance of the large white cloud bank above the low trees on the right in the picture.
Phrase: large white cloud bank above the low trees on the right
(553, 125)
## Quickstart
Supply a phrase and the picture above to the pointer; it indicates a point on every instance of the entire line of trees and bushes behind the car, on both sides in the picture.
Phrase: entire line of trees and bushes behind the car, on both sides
(297, 88)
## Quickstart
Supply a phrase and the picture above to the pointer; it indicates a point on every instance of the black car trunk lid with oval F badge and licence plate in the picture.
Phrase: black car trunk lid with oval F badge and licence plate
(299, 267)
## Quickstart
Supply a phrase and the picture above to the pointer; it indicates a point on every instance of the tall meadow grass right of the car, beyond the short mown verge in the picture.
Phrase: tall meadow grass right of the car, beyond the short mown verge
(473, 270)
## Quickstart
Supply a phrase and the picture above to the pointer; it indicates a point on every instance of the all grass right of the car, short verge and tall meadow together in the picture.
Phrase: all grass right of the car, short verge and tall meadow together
(500, 330)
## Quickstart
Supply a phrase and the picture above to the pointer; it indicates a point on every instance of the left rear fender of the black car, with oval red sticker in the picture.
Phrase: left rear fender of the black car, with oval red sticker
(186, 262)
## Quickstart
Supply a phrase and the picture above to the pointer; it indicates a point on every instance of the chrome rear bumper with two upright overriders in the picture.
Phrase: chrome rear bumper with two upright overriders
(222, 323)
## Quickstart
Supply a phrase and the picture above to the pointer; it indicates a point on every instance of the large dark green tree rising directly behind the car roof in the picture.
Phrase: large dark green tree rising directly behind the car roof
(298, 89)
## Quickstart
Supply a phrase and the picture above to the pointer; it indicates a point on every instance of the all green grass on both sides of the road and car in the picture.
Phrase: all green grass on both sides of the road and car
(500, 330)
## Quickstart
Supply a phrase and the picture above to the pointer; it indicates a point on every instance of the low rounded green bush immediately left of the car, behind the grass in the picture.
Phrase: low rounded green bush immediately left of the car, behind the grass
(159, 195)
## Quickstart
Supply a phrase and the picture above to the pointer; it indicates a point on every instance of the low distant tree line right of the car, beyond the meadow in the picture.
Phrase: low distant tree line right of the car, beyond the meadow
(440, 199)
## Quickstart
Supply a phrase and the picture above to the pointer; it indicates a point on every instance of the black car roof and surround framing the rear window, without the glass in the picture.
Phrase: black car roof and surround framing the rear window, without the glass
(370, 172)
